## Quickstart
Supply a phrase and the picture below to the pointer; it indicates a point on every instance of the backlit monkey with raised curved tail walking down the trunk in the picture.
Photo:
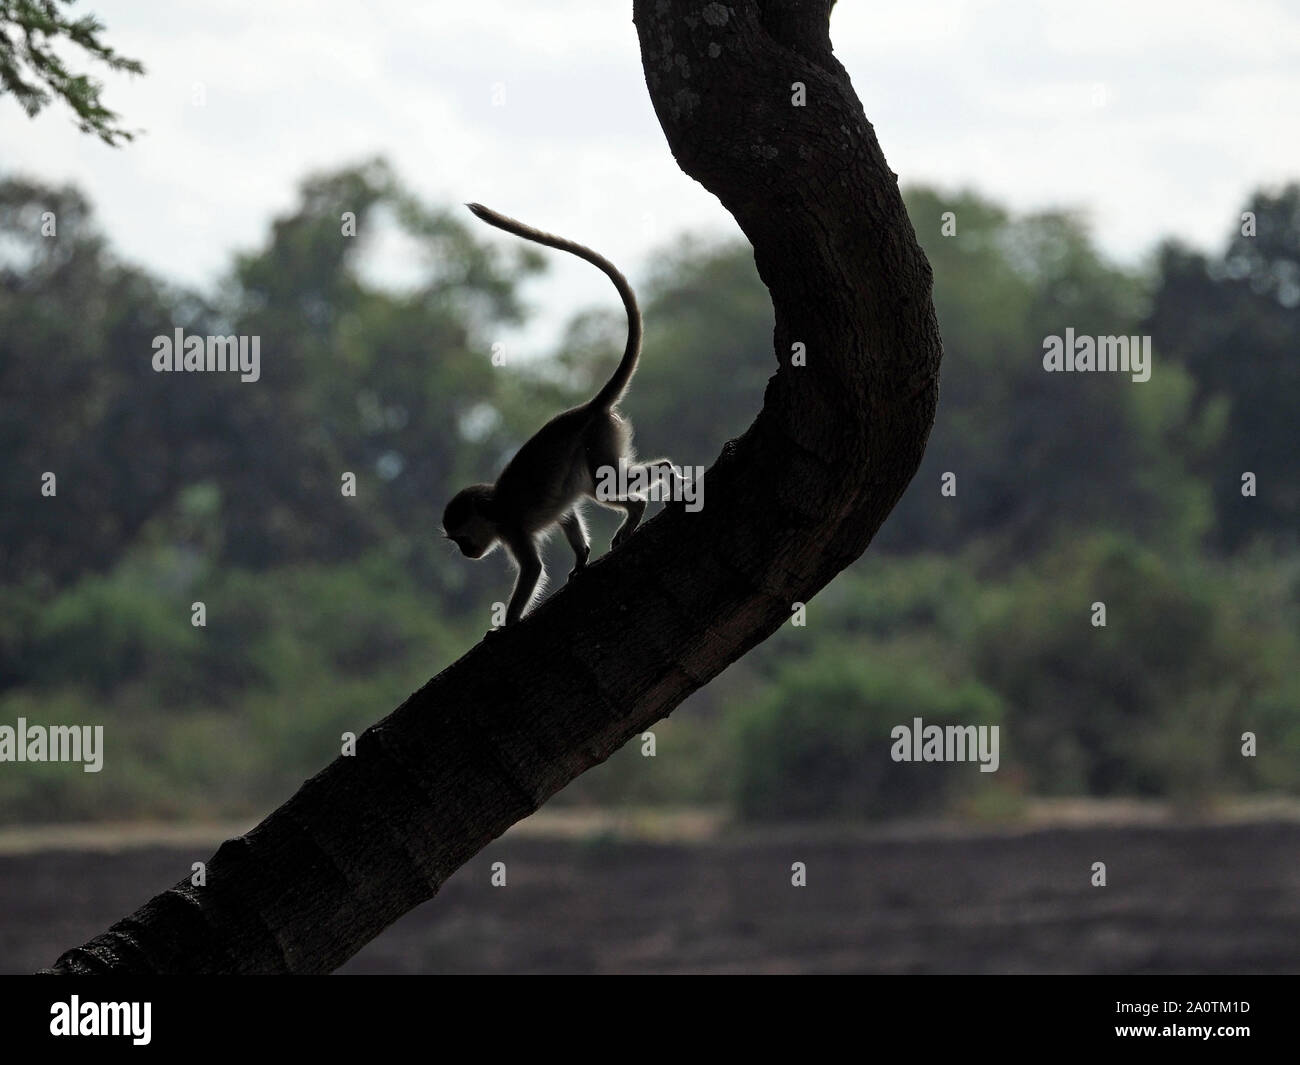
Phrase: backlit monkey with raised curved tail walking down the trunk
(558, 469)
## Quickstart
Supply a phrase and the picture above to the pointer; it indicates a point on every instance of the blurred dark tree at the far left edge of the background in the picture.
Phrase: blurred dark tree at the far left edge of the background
(81, 400)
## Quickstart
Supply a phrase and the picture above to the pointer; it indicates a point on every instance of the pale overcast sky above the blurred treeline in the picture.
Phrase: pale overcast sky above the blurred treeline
(1154, 116)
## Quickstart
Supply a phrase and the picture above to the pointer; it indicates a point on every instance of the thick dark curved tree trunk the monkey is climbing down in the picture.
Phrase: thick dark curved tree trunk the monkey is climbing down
(787, 508)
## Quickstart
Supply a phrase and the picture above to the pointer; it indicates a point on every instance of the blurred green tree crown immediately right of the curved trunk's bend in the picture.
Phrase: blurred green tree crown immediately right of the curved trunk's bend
(1042, 456)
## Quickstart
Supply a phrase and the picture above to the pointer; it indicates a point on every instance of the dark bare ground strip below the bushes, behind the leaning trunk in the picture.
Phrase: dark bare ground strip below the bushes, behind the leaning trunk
(1219, 899)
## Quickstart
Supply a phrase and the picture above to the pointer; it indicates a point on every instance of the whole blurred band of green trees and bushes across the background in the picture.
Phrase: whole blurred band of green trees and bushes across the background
(326, 611)
